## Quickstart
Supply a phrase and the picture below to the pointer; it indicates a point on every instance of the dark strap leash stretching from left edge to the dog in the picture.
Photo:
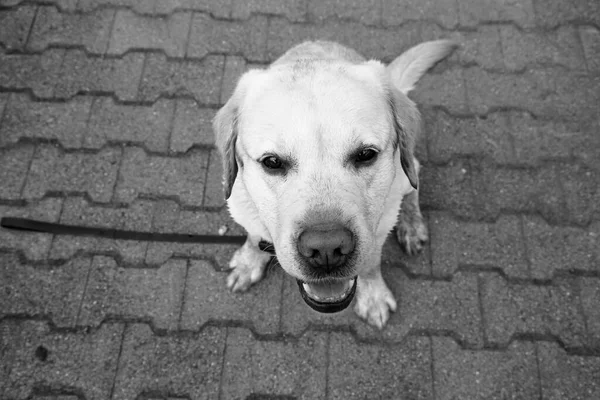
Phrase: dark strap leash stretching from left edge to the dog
(30, 225)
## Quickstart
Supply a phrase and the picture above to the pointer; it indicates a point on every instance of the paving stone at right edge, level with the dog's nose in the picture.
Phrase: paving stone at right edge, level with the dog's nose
(554, 248)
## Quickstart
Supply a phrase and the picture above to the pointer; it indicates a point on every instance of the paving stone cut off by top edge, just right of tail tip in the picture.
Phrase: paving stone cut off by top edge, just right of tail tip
(475, 12)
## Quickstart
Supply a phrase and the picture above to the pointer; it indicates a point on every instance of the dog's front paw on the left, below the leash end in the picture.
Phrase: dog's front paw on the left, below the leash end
(248, 265)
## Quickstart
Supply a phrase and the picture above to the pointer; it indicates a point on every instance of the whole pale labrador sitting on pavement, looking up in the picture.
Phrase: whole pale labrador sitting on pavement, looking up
(318, 157)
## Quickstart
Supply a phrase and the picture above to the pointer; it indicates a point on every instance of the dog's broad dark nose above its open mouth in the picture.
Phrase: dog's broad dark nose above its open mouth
(326, 246)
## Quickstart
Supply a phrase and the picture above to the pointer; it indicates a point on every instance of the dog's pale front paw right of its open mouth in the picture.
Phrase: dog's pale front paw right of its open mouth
(375, 305)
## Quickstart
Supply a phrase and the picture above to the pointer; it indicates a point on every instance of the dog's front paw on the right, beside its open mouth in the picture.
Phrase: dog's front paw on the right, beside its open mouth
(374, 301)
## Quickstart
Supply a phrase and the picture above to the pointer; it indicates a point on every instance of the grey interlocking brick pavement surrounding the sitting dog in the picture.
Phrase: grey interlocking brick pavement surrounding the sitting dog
(105, 121)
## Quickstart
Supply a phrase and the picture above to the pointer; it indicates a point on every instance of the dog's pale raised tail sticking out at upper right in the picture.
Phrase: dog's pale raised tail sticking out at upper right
(406, 70)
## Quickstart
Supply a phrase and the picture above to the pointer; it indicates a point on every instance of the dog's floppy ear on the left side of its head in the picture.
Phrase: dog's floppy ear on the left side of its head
(225, 127)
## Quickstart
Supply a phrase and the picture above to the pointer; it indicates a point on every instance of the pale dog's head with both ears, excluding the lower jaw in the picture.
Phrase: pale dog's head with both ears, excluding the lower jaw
(316, 147)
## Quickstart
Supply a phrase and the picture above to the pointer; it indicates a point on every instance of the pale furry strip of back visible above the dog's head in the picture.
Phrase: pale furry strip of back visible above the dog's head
(320, 50)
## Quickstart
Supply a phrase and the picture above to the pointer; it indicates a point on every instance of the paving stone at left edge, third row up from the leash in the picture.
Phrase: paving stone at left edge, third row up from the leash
(38, 72)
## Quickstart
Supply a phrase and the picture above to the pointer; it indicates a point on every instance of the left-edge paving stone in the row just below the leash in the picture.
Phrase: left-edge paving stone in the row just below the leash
(53, 292)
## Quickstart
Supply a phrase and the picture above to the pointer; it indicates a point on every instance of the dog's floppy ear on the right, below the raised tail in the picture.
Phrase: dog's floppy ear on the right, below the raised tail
(407, 125)
